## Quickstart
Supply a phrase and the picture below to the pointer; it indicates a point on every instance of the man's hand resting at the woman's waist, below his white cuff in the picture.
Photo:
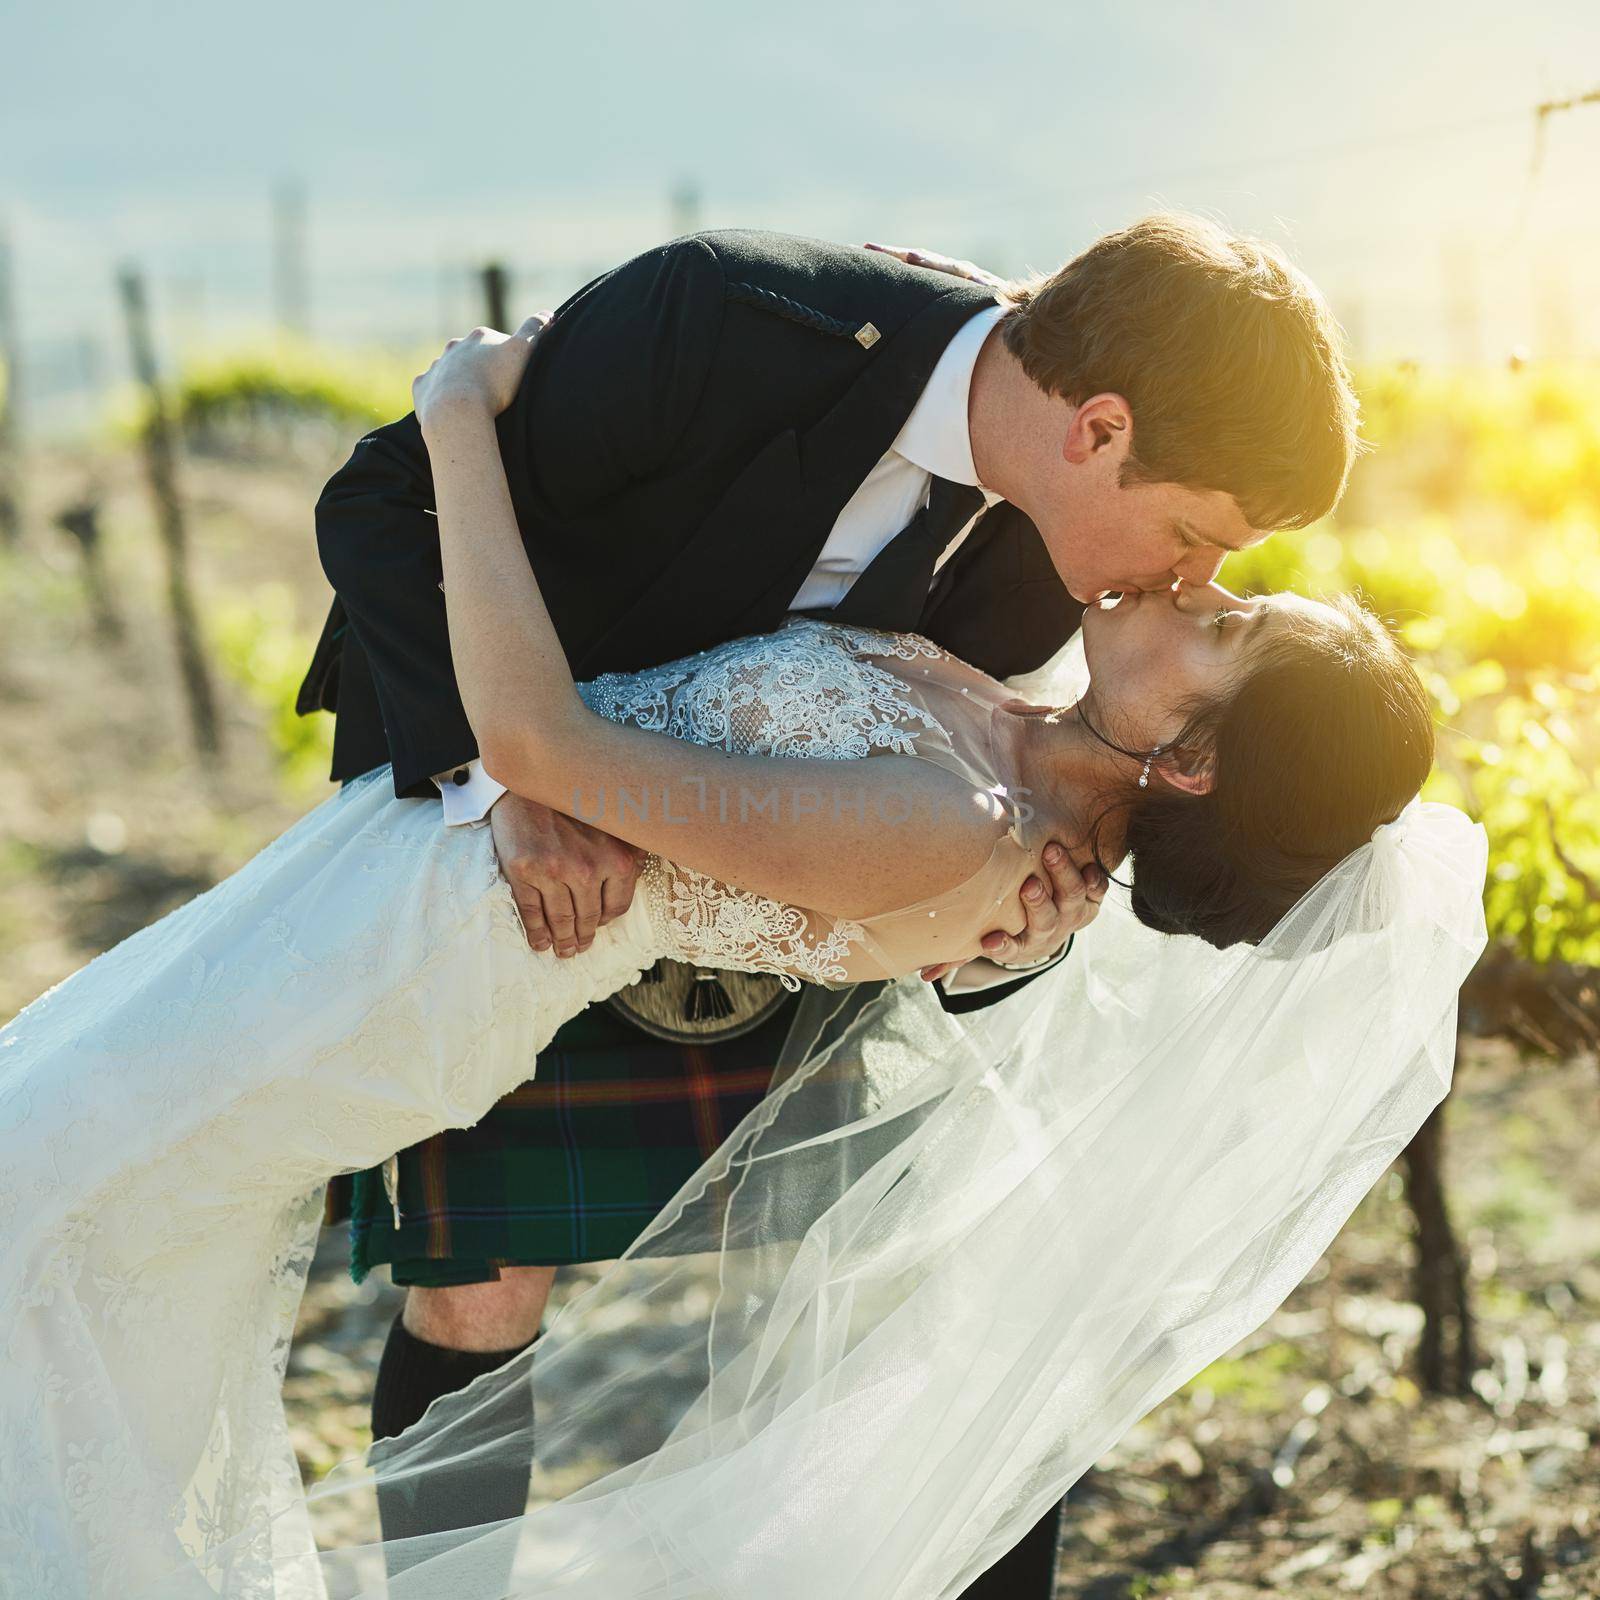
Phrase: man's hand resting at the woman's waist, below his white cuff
(567, 878)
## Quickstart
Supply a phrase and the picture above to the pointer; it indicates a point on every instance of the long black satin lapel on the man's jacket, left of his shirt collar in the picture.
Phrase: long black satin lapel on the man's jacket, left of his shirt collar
(743, 566)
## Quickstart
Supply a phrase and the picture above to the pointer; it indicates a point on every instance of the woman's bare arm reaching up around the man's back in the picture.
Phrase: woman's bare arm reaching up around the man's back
(847, 839)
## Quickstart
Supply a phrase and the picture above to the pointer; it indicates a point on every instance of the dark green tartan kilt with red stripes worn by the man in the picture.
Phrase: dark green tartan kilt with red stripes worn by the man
(569, 1167)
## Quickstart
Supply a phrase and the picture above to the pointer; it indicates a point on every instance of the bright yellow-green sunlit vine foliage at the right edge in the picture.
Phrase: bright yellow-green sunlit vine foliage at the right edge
(1500, 606)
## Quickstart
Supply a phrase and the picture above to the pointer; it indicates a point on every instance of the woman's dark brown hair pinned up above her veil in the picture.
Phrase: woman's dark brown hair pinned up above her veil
(1326, 737)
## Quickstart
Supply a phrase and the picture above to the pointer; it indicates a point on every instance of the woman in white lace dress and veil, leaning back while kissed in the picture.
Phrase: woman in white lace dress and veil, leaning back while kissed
(170, 1113)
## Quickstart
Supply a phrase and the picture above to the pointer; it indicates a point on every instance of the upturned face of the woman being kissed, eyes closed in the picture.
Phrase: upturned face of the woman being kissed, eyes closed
(1153, 655)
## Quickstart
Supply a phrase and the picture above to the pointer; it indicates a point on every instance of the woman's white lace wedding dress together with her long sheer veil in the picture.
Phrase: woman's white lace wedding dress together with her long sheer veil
(937, 1273)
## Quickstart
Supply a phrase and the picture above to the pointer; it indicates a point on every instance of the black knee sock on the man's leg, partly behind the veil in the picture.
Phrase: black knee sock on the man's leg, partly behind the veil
(410, 1377)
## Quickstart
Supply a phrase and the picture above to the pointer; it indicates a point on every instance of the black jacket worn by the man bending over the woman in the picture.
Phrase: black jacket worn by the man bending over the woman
(686, 436)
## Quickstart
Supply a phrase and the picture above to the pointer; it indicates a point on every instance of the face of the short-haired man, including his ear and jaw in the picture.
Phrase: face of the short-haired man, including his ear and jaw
(1113, 537)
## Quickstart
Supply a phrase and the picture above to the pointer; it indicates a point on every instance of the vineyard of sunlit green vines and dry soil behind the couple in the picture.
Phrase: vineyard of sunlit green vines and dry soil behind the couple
(1423, 1417)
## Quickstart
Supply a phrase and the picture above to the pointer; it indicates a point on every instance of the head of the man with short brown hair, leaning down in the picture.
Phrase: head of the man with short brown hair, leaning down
(1185, 396)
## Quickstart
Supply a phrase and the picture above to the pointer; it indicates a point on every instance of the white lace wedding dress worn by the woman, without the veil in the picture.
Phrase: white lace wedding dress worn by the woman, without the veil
(170, 1113)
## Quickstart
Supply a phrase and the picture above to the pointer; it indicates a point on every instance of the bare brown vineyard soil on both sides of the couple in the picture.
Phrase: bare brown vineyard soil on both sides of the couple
(1306, 1463)
